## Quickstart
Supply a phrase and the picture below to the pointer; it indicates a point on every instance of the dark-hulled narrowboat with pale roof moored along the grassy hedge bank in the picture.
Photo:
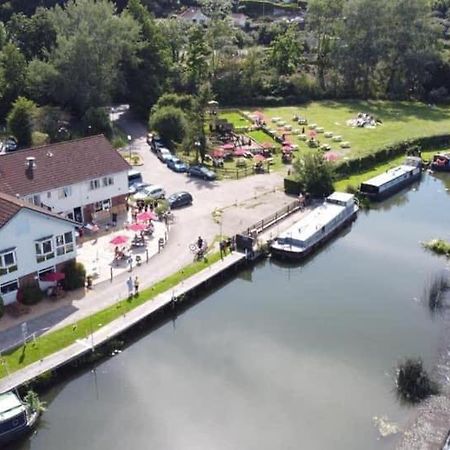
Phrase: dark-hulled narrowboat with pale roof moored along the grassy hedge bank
(392, 180)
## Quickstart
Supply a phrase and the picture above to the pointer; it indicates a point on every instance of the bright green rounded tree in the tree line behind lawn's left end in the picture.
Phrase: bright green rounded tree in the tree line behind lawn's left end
(285, 52)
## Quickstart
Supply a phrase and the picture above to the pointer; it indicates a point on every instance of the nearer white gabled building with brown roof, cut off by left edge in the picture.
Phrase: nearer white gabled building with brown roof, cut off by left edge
(33, 241)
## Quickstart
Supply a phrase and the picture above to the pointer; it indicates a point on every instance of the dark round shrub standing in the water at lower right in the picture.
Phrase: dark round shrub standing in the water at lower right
(413, 382)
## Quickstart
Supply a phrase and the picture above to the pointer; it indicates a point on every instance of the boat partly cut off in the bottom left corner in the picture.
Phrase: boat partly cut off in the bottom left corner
(16, 418)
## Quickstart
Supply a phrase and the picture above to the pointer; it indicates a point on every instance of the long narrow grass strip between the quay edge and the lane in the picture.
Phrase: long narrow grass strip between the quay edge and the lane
(57, 340)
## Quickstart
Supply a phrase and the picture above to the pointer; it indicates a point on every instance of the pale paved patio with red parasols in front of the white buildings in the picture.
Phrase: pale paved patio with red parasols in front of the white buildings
(129, 245)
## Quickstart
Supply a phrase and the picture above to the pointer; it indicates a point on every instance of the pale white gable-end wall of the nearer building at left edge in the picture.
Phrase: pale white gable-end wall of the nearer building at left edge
(22, 232)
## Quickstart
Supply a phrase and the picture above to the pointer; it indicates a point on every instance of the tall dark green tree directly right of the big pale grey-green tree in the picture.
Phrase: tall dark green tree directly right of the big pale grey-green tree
(147, 72)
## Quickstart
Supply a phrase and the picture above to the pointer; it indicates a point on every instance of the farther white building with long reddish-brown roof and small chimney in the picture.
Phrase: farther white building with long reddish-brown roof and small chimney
(84, 180)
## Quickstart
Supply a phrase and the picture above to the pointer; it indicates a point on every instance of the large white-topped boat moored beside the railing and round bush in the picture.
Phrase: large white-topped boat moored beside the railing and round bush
(313, 230)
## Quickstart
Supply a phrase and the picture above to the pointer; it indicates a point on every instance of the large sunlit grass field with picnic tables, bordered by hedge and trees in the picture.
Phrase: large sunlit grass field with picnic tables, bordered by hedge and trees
(401, 120)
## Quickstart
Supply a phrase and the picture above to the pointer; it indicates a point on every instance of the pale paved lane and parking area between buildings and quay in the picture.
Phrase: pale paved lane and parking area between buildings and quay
(241, 202)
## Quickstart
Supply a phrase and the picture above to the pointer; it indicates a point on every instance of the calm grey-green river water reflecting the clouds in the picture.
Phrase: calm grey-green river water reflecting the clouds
(280, 357)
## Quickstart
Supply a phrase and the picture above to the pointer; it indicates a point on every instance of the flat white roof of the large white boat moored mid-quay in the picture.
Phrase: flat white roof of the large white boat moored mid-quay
(314, 221)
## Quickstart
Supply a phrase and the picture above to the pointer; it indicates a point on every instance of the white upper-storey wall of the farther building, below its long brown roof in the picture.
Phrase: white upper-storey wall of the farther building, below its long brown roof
(81, 195)
